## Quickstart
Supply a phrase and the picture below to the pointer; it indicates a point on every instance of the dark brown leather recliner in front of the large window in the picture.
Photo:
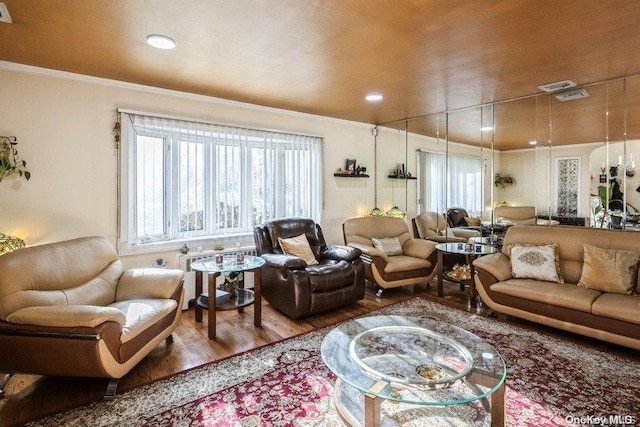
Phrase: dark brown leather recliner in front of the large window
(298, 289)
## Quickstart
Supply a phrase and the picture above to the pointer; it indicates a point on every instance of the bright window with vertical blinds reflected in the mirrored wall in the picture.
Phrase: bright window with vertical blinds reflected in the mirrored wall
(456, 184)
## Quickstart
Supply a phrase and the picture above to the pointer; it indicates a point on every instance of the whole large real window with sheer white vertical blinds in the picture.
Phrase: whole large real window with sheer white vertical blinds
(182, 180)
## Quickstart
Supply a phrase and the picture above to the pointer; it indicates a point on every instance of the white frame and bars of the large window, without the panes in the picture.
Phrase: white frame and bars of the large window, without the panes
(171, 239)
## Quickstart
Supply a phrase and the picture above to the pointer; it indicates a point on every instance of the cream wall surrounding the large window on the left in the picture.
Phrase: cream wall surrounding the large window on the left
(64, 123)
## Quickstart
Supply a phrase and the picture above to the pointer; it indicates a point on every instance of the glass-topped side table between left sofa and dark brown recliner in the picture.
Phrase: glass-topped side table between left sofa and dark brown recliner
(243, 297)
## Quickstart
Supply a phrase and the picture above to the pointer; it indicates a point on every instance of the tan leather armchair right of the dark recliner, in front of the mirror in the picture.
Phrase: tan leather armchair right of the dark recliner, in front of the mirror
(415, 265)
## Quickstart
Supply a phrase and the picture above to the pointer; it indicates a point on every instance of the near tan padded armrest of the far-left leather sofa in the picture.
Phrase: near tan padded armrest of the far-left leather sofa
(67, 316)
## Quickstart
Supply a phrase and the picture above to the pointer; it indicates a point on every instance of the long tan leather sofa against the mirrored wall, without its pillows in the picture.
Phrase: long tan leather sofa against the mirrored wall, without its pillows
(611, 317)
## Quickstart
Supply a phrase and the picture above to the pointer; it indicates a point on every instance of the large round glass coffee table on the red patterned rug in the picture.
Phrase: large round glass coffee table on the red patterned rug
(392, 369)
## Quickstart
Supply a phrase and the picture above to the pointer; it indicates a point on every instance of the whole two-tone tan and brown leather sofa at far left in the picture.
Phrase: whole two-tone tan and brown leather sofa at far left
(70, 309)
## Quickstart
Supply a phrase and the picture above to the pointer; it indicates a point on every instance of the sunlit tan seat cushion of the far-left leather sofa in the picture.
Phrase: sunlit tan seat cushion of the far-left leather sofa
(142, 313)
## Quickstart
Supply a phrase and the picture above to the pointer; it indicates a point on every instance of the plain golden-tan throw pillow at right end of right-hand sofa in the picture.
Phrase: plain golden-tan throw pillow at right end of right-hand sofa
(610, 270)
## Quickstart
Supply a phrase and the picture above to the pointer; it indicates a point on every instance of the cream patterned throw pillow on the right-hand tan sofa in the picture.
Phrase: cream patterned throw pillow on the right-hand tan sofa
(540, 262)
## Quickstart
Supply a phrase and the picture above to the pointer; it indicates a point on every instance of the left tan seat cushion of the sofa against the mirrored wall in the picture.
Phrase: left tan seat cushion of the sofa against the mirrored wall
(560, 294)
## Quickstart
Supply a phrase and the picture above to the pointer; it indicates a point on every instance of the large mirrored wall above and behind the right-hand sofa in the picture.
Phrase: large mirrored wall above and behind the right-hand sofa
(573, 158)
